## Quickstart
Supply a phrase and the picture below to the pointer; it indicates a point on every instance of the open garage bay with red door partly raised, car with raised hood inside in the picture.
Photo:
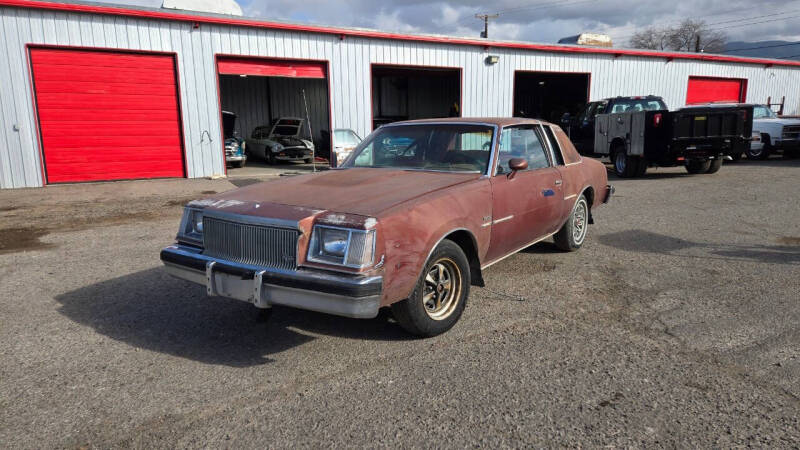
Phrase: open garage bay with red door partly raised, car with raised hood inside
(262, 92)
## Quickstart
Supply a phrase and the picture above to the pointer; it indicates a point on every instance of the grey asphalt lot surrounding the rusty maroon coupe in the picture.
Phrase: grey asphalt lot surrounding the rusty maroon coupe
(677, 324)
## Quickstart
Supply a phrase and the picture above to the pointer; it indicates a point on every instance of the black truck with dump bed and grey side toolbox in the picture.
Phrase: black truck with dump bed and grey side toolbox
(641, 132)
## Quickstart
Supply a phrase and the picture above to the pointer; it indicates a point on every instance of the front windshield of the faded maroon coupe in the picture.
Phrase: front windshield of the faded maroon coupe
(441, 147)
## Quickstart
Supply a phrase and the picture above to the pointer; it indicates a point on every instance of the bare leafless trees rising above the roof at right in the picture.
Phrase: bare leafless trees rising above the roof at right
(689, 36)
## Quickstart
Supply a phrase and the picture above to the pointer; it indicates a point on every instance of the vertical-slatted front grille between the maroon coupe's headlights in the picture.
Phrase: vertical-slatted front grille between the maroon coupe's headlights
(255, 245)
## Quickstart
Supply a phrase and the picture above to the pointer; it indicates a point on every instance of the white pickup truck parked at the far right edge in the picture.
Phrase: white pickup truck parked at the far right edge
(778, 134)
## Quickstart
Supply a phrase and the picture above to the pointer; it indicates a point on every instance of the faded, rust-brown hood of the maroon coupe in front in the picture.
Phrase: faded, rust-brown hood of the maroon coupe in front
(360, 191)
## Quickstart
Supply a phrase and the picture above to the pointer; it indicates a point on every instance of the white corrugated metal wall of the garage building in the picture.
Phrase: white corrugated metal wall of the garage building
(487, 89)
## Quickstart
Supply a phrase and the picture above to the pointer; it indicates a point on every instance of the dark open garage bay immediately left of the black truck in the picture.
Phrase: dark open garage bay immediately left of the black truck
(548, 95)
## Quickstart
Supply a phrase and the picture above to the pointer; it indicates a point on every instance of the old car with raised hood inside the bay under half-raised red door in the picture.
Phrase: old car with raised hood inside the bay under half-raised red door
(284, 140)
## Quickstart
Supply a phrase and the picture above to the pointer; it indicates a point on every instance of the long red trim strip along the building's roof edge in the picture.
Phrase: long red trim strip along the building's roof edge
(344, 32)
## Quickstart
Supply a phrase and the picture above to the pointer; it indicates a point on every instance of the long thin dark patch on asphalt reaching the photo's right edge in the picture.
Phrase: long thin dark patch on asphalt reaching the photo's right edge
(644, 241)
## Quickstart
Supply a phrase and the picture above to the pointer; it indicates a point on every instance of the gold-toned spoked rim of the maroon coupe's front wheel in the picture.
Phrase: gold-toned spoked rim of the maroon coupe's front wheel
(442, 289)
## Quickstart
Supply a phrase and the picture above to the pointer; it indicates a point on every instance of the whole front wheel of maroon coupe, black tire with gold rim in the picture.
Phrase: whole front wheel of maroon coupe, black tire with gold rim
(431, 316)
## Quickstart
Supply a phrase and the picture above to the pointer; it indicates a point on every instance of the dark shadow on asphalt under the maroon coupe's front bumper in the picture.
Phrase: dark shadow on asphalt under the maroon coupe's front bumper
(154, 311)
